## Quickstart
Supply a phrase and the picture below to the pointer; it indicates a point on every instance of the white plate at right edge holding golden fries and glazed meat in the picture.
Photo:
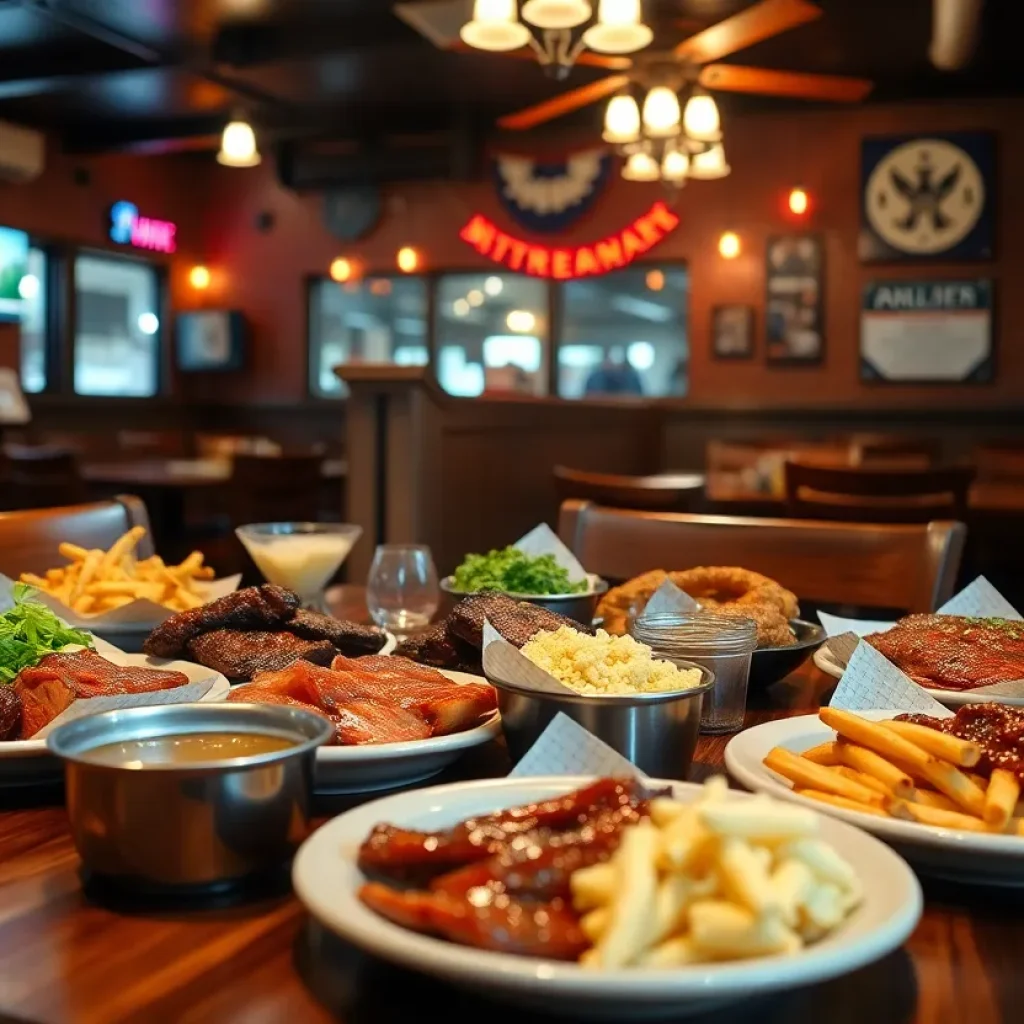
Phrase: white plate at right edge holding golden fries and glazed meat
(961, 856)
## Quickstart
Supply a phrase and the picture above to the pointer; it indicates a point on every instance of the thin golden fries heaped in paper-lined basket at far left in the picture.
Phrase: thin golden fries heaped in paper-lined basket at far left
(97, 582)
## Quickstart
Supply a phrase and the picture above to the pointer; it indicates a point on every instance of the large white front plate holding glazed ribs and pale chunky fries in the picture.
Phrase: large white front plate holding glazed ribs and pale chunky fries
(327, 880)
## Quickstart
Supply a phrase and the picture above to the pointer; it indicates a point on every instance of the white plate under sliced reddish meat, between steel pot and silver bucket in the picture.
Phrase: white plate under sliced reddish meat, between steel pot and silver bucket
(385, 766)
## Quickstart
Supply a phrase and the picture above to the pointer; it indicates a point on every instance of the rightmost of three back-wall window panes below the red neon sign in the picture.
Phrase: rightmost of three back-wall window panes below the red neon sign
(625, 333)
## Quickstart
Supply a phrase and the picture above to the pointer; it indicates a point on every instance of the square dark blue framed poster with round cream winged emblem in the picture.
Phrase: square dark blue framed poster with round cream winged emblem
(927, 197)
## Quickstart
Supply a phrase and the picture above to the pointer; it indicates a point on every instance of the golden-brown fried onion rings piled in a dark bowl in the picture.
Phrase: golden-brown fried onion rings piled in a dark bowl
(730, 590)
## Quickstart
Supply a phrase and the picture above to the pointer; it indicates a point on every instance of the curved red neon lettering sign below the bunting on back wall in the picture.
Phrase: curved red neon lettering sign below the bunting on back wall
(568, 263)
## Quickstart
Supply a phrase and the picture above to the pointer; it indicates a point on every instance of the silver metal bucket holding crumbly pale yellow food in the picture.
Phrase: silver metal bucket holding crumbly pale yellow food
(657, 732)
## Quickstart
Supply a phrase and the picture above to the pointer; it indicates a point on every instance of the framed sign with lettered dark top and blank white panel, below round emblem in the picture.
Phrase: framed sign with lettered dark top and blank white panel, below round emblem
(927, 331)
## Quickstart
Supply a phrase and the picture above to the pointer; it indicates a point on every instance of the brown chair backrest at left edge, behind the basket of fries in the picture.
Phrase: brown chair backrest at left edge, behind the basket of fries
(29, 539)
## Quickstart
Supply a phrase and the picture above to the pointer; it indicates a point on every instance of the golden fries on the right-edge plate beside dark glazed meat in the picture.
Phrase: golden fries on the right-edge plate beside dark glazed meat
(903, 771)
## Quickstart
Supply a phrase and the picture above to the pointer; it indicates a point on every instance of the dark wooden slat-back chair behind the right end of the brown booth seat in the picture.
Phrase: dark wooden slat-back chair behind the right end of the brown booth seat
(856, 495)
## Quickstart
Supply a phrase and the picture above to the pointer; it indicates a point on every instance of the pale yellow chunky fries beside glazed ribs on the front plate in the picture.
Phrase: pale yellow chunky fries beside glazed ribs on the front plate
(716, 880)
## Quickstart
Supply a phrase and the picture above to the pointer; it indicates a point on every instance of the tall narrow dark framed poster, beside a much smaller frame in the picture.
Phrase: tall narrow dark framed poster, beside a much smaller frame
(795, 306)
